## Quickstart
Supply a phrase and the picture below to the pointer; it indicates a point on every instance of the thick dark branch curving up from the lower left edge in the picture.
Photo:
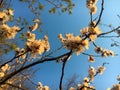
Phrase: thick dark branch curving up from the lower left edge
(4, 79)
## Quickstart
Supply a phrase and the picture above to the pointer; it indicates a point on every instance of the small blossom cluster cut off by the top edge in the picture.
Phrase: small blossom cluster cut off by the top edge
(91, 4)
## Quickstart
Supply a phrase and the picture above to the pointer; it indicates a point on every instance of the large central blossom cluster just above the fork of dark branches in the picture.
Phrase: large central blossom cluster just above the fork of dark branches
(74, 43)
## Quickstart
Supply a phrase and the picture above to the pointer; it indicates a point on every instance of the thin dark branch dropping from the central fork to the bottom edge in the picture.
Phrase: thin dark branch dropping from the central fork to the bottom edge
(63, 68)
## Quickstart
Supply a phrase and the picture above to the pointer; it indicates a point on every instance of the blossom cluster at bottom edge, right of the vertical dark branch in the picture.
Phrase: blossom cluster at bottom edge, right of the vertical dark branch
(84, 86)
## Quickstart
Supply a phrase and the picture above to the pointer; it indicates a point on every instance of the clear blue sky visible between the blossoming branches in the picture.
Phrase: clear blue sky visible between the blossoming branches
(49, 73)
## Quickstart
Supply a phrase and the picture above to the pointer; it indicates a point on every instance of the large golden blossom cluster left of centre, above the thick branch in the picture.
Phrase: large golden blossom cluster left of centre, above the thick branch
(36, 46)
